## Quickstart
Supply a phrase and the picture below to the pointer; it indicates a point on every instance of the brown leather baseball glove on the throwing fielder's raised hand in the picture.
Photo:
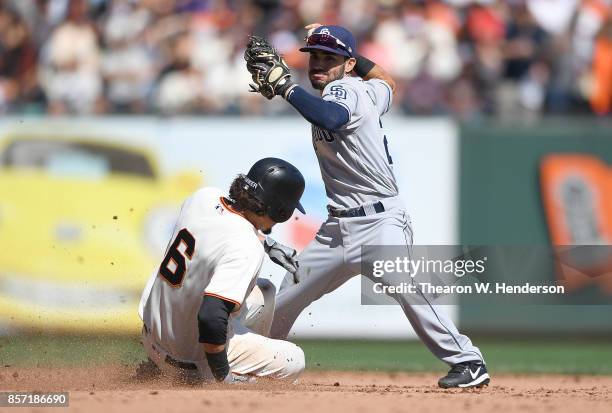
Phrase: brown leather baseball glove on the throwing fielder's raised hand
(271, 75)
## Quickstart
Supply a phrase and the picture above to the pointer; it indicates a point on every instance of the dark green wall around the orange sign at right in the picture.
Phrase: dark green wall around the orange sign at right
(500, 204)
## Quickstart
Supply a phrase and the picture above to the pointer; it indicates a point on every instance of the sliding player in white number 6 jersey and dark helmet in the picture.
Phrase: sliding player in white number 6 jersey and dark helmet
(205, 313)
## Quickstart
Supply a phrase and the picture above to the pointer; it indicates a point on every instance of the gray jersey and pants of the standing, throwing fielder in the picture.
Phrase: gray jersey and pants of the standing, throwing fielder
(357, 169)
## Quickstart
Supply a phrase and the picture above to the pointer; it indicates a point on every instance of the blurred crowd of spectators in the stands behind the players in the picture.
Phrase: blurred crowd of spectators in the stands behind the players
(465, 58)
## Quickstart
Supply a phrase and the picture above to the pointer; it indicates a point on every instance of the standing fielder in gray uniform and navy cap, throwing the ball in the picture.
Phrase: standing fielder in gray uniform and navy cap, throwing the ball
(357, 170)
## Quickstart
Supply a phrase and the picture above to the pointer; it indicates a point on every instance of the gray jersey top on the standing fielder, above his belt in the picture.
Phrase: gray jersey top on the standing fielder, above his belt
(355, 163)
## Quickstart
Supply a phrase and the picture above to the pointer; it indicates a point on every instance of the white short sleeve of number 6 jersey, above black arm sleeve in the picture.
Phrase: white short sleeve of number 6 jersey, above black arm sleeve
(235, 271)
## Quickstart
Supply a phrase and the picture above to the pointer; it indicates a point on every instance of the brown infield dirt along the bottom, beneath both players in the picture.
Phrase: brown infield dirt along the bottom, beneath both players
(115, 389)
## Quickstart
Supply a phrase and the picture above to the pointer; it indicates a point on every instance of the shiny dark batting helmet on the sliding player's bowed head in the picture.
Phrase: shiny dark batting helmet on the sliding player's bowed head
(278, 185)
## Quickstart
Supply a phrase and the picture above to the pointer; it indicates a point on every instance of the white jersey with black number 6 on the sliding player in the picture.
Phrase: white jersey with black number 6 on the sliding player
(213, 251)
